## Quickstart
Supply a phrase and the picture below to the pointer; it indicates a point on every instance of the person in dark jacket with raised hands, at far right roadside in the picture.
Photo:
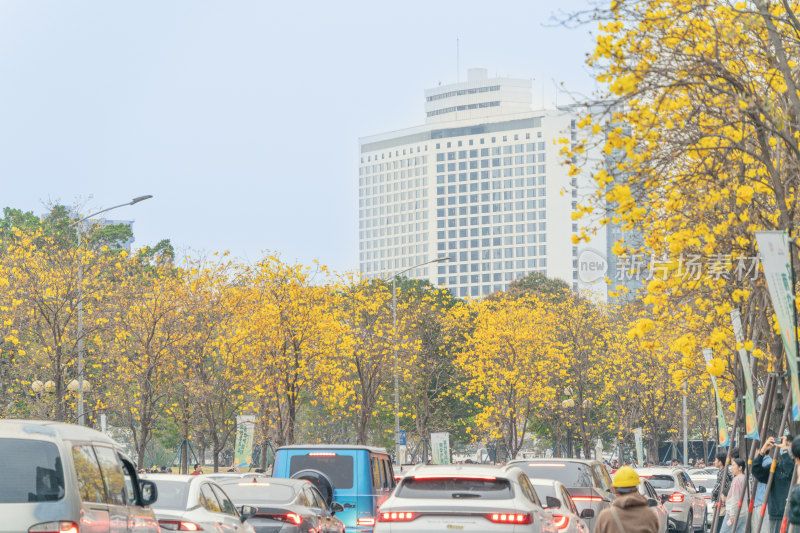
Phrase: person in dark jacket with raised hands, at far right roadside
(762, 463)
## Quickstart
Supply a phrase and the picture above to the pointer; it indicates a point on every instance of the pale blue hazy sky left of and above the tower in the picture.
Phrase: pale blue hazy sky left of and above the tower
(242, 118)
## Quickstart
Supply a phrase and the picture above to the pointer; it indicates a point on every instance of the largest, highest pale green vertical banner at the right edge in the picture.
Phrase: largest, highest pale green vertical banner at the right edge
(773, 246)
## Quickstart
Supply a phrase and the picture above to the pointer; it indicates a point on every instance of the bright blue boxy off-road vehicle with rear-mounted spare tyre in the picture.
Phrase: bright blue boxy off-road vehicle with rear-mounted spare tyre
(360, 478)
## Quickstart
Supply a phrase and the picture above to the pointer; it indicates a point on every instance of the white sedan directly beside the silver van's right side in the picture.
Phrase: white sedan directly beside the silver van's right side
(196, 503)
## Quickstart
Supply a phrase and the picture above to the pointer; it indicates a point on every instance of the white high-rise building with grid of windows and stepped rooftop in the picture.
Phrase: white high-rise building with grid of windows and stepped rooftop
(481, 181)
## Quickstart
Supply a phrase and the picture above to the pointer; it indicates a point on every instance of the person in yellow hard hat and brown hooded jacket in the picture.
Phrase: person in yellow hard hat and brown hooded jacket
(630, 512)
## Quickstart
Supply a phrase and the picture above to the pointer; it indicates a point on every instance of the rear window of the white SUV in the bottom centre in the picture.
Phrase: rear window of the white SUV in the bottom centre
(455, 488)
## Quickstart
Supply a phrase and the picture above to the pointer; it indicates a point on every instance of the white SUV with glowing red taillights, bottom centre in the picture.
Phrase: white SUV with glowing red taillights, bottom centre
(464, 497)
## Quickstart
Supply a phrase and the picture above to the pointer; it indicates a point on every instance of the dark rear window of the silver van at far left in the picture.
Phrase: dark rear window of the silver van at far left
(30, 471)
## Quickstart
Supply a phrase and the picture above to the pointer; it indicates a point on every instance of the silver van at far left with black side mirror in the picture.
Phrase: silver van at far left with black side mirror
(68, 478)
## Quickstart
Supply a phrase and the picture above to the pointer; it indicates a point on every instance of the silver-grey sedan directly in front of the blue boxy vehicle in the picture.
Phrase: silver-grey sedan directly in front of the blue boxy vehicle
(285, 505)
